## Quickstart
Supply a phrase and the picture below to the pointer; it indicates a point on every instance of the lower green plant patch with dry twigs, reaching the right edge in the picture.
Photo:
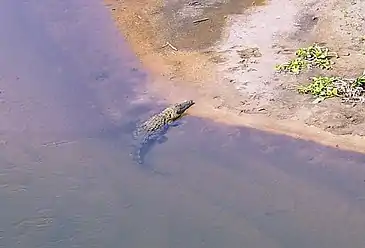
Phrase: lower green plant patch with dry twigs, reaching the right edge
(350, 90)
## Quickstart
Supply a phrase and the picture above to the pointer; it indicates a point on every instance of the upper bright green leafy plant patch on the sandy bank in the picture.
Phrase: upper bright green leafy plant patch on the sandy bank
(312, 56)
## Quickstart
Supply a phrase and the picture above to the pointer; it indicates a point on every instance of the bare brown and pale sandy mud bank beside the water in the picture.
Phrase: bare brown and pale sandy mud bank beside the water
(227, 62)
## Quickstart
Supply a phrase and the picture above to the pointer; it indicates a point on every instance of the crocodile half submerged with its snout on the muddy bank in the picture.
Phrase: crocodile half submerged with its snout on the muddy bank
(154, 129)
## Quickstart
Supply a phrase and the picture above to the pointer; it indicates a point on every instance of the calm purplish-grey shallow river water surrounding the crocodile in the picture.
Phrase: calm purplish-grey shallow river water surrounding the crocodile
(67, 180)
